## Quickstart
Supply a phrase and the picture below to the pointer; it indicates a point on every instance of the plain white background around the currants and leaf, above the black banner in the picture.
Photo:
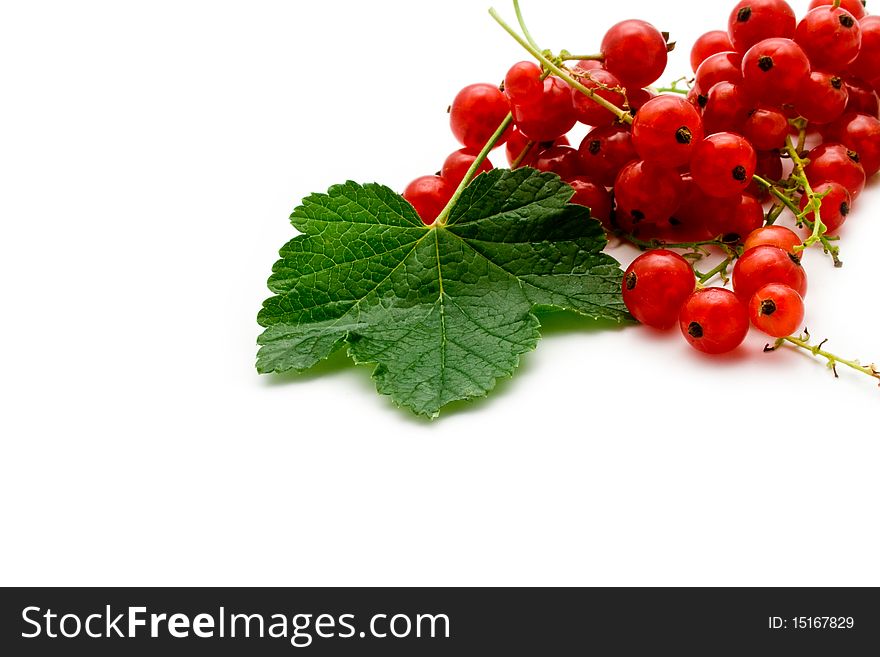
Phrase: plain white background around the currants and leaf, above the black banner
(150, 156)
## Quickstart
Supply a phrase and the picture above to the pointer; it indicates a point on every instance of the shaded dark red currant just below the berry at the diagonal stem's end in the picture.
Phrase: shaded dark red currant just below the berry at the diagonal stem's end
(648, 193)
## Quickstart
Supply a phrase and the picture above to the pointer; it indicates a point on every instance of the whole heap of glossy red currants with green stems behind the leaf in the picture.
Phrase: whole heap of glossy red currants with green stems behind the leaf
(698, 167)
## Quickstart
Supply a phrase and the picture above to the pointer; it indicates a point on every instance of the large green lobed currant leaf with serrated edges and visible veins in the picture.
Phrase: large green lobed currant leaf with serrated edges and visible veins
(443, 312)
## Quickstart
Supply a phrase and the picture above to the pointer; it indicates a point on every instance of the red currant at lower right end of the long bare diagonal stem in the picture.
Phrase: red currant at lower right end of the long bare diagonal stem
(666, 130)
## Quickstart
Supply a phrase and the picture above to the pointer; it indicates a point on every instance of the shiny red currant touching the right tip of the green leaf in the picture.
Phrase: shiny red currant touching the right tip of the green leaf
(655, 287)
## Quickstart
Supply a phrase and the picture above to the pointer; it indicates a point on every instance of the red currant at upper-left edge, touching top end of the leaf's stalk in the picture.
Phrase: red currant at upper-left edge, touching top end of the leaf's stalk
(476, 113)
